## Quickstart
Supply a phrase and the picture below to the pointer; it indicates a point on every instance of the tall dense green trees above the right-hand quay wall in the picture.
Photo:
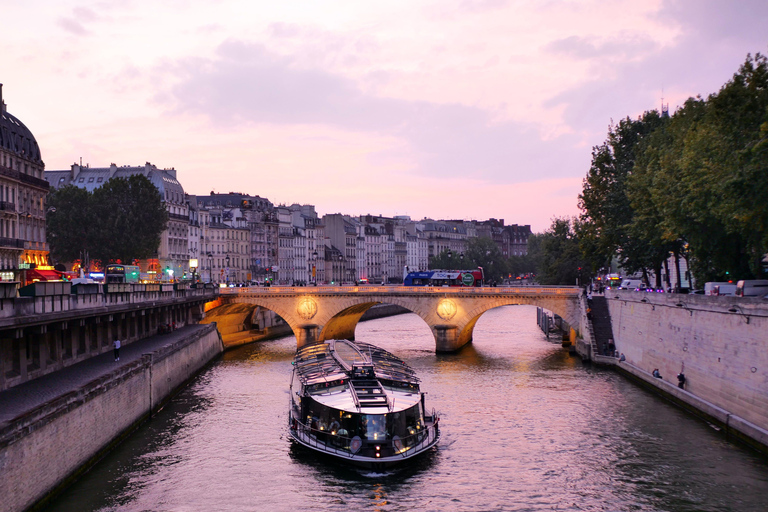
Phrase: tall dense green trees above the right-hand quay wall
(692, 185)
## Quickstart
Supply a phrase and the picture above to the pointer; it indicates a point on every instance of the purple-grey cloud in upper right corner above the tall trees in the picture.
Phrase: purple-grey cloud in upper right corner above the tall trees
(631, 76)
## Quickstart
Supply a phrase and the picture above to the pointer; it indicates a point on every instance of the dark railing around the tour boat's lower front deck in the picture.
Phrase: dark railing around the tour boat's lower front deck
(332, 442)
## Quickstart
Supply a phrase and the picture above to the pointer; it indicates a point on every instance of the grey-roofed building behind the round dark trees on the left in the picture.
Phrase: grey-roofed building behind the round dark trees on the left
(172, 259)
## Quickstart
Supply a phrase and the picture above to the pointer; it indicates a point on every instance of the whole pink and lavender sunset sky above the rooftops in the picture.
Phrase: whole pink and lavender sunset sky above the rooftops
(464, 109)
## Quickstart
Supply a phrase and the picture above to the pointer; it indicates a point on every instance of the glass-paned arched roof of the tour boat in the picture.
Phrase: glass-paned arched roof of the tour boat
(335, 360)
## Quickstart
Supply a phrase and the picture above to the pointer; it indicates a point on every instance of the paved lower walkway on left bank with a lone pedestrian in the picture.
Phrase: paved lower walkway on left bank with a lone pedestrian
(32, 394)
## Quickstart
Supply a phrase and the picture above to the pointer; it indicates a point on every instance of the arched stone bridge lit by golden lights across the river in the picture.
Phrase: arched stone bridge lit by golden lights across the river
(332, 312)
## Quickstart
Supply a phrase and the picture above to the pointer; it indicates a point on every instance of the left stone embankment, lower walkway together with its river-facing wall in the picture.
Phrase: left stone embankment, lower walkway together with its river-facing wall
(54, 428)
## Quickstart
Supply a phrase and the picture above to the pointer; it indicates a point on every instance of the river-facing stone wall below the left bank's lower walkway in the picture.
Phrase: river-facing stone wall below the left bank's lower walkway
(43, 450)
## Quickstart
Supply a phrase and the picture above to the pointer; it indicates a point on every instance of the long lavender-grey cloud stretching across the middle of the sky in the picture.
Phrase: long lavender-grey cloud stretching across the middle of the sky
(247, 84)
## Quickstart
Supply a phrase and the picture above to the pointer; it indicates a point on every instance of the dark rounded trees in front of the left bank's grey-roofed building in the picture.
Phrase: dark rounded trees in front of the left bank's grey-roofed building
(119, 221)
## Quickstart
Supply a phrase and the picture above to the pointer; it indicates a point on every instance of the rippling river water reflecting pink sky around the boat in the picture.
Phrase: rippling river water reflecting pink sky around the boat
(525, 426)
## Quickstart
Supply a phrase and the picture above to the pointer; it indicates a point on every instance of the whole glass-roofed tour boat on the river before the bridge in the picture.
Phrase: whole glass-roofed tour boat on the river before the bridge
(359, 403)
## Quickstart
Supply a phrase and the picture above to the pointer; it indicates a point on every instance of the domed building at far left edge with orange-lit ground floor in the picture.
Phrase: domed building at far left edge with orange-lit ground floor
(22, 198)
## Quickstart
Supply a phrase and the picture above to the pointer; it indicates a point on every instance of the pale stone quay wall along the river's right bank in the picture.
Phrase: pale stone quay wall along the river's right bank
(718, 343)
